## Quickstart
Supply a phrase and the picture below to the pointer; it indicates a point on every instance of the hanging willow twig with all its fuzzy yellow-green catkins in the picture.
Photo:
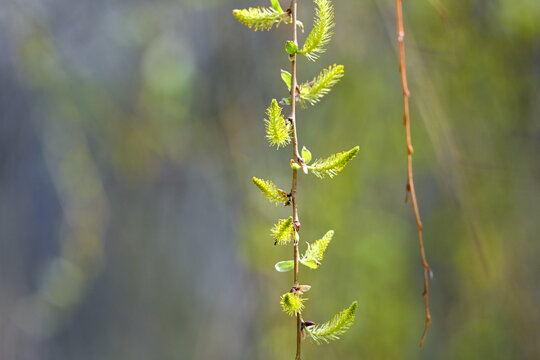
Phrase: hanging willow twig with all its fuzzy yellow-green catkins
(280, 131)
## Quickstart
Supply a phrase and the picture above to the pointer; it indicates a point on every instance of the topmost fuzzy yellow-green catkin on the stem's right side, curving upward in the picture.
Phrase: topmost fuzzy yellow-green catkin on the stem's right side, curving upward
(323, 26)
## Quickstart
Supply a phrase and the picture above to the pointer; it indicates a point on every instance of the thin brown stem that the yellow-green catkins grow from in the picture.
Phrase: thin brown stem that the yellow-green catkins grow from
(296, 157)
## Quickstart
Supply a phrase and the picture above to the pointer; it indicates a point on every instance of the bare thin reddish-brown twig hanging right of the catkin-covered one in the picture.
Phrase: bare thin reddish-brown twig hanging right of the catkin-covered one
(410, 182)
